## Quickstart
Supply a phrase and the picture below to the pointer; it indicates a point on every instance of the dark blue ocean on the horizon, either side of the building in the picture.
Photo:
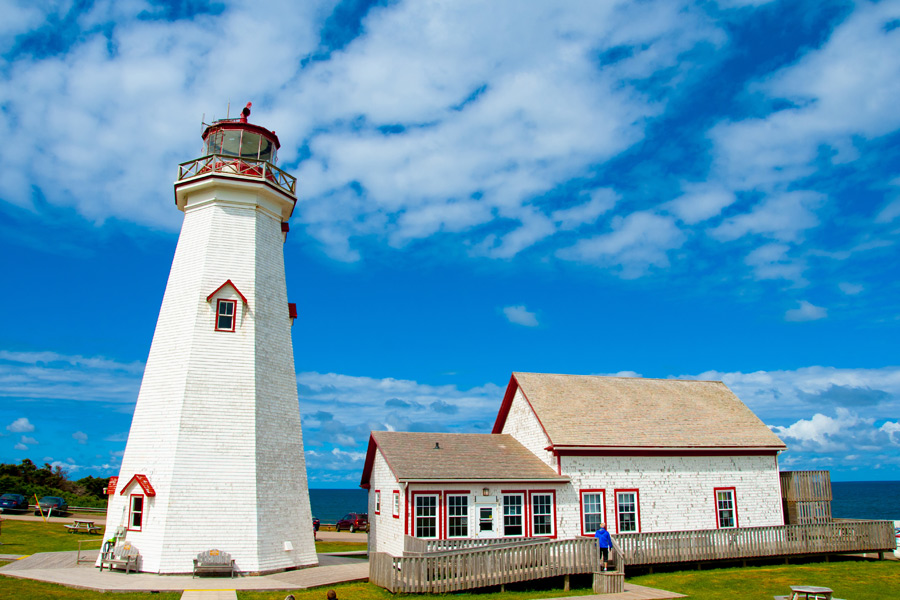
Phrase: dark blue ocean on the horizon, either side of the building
(851, 500)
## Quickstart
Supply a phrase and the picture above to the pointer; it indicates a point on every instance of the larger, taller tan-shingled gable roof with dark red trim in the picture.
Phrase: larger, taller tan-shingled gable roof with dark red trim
(623, 412)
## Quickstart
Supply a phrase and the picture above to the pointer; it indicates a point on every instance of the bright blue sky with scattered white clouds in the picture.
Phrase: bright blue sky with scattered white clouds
(665, 189)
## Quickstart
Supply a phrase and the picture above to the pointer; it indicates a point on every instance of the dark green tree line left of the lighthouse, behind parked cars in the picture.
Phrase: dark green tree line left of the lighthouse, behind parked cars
(28, 479)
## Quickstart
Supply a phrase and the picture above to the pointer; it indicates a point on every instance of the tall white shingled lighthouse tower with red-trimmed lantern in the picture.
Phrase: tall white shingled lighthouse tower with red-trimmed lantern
(214, 458)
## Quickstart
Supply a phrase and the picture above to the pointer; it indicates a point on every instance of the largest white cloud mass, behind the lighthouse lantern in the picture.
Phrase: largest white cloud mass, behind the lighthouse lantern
(438, 119)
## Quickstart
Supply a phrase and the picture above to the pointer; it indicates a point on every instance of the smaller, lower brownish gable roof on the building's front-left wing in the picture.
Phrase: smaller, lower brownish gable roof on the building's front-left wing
(461, 456)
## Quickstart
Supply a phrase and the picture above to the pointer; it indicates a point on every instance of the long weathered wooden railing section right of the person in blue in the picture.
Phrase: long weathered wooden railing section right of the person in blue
(756, 542)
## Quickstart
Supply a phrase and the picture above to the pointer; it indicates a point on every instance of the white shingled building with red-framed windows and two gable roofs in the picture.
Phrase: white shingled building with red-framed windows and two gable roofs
(568, 452)
